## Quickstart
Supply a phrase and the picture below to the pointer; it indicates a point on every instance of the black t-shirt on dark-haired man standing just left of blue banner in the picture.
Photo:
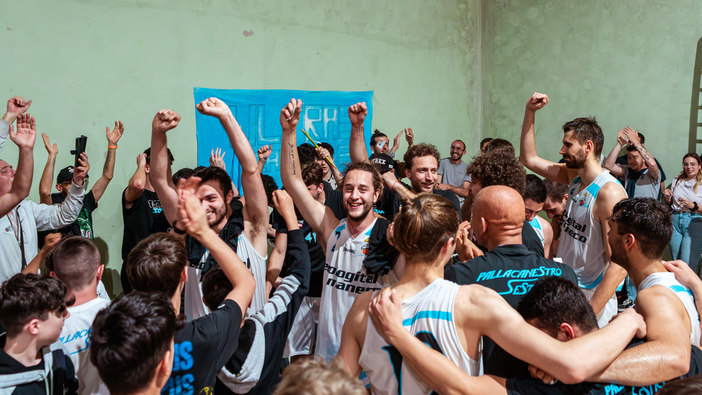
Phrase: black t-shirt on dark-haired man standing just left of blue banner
(139, 219)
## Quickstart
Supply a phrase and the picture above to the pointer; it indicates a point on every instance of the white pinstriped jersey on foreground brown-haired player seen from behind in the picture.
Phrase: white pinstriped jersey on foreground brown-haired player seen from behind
(428, 315)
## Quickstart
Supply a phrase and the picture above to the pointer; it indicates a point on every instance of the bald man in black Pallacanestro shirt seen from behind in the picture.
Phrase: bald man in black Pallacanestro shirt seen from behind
(508, 267)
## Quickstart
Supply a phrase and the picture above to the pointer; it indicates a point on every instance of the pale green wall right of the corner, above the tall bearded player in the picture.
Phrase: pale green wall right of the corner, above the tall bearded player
(627, 62)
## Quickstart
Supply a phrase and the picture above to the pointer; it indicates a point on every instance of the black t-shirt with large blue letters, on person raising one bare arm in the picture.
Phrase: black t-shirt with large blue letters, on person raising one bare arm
(202, 348)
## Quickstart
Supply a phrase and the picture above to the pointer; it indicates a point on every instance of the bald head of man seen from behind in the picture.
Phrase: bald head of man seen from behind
(498, 216)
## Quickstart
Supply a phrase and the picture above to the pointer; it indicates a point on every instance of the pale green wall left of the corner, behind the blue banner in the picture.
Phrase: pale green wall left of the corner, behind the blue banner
(87, 63)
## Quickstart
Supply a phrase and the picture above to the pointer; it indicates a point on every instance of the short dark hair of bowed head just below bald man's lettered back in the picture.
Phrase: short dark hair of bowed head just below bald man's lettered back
(556, 300)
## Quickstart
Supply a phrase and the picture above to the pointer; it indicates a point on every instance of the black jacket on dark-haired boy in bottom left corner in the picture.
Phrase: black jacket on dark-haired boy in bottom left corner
(63, 373)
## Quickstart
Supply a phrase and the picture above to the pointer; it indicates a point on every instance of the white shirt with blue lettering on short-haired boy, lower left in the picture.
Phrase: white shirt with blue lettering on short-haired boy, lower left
(75, 336)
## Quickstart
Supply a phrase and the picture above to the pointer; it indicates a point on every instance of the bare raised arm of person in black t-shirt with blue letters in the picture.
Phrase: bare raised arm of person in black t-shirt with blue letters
(191, 216)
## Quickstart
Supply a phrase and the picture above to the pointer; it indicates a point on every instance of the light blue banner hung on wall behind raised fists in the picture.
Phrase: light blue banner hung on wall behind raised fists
(324, 116)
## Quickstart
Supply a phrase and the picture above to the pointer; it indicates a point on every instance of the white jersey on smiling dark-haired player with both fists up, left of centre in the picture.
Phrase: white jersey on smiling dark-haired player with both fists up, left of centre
(194, 305)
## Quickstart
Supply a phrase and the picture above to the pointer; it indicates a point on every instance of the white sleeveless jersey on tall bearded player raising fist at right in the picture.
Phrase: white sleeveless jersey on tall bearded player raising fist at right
(582, 244)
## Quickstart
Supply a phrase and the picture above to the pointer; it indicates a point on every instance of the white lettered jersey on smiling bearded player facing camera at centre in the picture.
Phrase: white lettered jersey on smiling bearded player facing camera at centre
(345, 278)
